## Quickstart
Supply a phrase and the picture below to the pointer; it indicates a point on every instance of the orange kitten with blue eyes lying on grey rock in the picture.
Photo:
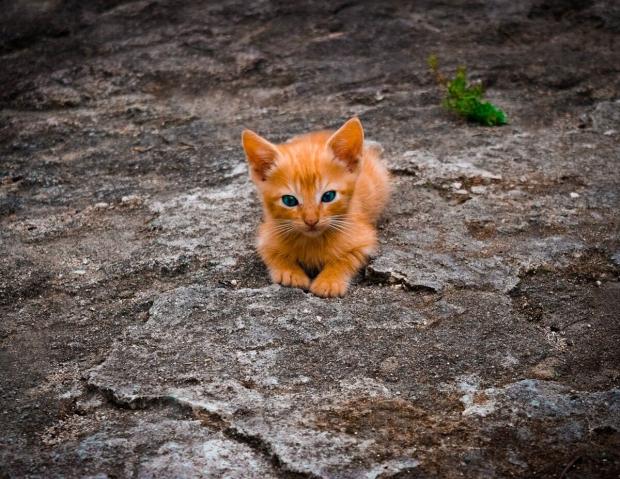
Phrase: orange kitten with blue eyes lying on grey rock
(322, 193)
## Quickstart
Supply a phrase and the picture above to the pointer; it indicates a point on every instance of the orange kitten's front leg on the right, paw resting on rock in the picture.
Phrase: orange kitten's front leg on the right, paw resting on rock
(334, 279)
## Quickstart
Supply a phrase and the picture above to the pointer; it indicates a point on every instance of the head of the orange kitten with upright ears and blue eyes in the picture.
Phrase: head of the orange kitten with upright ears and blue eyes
(307, 183)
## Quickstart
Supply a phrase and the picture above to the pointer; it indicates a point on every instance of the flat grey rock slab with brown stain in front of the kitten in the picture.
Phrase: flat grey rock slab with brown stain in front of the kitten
(311, 386)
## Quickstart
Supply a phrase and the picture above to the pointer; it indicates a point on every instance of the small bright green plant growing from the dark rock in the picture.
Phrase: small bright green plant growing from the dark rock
(466, 99)
